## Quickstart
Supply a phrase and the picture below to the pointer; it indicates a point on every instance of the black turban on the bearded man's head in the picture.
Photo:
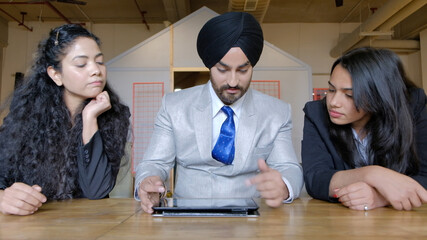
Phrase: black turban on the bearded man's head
(232, 29)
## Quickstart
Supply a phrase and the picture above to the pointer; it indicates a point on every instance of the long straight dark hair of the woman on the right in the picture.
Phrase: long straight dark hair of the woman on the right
(380, 87)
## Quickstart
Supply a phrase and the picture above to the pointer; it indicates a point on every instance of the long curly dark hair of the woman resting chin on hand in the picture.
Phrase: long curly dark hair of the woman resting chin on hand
(39, 138)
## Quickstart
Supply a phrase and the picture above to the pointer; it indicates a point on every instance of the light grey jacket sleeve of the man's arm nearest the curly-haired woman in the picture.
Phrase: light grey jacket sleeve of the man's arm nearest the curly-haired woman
(159, 156)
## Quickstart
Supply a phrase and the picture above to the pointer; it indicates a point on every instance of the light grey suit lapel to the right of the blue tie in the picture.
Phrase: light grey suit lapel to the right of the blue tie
(246, 131)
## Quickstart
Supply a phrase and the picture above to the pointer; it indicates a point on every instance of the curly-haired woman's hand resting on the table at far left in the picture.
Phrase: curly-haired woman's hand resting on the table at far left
(21, 199)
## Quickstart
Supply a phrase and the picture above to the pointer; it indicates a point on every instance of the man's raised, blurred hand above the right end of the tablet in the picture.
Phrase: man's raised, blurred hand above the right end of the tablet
(270, 184)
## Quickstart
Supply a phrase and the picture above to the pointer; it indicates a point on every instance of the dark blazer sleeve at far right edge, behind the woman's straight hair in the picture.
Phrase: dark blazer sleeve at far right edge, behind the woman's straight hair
(418, 102)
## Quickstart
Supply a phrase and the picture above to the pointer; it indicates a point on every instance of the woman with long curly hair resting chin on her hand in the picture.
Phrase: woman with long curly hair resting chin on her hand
(66, 130)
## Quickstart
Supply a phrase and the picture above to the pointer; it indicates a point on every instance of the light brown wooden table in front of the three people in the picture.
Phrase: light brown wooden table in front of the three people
(123, 219)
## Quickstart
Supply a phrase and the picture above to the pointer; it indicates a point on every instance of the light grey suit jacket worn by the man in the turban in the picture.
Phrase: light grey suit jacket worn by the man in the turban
(183, 136)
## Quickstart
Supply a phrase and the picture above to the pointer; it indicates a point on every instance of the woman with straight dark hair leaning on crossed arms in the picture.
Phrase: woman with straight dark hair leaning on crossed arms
(365, 144)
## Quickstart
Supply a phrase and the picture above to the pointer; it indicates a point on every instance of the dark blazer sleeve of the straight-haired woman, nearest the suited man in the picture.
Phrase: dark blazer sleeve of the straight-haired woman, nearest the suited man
(317, 161)
